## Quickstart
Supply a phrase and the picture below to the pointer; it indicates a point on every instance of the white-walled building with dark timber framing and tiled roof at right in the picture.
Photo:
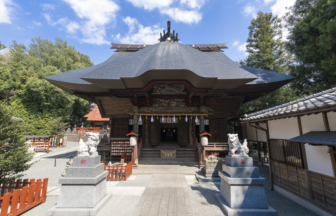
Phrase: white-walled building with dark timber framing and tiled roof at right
(301, 141)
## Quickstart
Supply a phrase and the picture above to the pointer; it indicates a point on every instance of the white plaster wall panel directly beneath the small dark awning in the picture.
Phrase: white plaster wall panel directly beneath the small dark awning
(319, 160)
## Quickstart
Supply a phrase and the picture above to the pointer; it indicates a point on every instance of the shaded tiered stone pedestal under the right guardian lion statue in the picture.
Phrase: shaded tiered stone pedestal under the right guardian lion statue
(242, 189)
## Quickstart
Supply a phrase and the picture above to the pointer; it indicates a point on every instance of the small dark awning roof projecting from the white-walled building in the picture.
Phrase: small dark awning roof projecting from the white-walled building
(317, 137)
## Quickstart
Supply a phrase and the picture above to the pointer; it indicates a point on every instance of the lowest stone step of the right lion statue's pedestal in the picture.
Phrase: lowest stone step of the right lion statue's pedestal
(244, 212)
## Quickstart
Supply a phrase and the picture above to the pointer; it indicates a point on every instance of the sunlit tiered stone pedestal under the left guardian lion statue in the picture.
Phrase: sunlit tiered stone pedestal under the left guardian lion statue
(83, 190)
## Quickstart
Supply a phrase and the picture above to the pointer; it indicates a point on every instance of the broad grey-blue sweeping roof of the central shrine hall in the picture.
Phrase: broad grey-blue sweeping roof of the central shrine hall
(168, 56)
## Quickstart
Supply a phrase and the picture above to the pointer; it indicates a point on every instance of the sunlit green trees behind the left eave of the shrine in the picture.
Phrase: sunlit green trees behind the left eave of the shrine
(31, 97)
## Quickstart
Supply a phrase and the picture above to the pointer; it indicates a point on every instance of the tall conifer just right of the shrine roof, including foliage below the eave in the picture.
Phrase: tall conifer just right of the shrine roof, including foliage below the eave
(267, 51)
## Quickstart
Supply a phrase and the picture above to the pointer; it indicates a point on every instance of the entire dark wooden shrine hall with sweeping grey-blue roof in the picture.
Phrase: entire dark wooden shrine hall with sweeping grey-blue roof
(167, 94)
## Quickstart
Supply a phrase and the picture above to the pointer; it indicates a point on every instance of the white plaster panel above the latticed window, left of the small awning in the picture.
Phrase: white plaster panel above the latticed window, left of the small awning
(283, 128)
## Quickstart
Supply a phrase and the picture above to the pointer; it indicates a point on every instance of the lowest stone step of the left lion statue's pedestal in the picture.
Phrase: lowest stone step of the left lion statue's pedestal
(54, 211)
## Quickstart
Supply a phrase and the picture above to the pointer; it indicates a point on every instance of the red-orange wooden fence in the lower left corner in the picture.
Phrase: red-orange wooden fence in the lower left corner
(21, 200)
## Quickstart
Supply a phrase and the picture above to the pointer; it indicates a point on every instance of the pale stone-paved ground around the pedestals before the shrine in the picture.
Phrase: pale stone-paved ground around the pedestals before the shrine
(153, 190)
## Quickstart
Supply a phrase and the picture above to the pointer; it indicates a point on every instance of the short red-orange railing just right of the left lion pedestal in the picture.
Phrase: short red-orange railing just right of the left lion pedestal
(118, 172)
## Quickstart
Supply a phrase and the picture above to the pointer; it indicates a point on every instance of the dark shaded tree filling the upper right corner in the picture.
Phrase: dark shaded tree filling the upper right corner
(311, 41)
